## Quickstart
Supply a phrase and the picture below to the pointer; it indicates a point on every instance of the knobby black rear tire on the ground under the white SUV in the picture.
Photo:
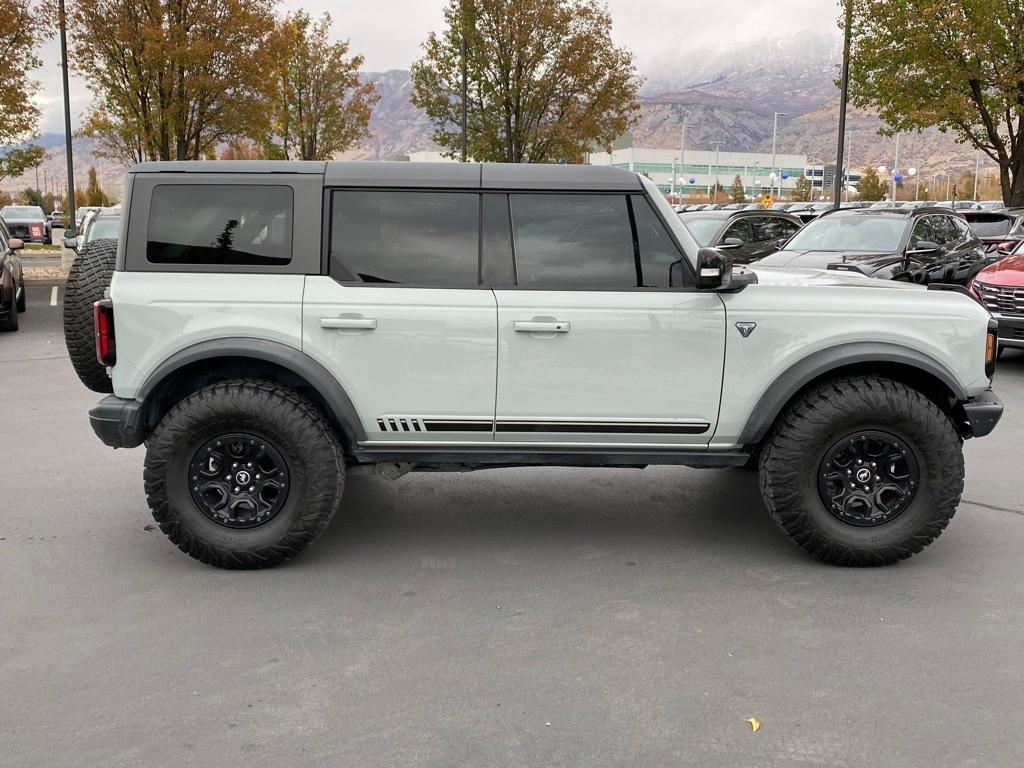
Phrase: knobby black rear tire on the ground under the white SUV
(295, 435)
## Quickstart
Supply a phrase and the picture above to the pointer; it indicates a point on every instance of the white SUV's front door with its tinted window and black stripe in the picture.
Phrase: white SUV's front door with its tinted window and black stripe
(604, 340)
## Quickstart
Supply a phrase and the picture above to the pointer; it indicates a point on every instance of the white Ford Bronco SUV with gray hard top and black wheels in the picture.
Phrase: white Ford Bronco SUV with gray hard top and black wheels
(270, 327)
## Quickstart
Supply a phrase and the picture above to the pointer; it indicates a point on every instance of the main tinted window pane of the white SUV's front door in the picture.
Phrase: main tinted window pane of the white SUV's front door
(574, 242)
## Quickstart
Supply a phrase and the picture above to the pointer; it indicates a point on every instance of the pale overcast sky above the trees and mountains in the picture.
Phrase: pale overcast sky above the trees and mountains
(389, 33)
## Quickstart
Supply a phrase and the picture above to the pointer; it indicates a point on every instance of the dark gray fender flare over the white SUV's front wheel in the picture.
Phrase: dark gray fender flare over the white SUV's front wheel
(795, 378)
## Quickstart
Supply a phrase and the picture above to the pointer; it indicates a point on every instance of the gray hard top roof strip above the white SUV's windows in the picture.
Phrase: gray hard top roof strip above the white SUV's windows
(420, 176)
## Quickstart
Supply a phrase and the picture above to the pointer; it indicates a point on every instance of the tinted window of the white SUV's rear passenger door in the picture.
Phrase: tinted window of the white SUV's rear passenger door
(406, 238)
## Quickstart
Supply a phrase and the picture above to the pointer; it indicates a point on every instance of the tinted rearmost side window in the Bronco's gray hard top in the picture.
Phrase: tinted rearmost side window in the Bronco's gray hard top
(221, 225)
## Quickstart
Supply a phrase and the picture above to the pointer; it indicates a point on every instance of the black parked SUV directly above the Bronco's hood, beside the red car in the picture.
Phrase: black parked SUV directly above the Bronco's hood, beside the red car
(920, 245)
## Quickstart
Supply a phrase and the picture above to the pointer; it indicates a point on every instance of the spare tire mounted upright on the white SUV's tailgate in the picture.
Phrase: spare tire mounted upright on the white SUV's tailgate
(90, 278)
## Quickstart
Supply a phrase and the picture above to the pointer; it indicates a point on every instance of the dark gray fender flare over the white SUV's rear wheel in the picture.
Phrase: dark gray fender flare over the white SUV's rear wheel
(289, 358)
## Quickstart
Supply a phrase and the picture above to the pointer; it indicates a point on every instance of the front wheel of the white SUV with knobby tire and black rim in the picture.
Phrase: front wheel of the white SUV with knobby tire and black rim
(863, 472)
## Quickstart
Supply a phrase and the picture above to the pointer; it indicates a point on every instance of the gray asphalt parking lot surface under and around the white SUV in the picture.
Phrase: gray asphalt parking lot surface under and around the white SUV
(506, 618)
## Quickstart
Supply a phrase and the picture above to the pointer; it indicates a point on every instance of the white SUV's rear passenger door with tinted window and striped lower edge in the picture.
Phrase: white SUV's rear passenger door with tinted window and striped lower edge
(402, 320)
